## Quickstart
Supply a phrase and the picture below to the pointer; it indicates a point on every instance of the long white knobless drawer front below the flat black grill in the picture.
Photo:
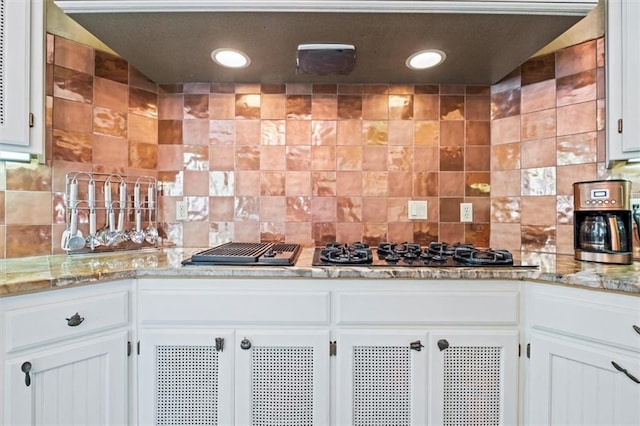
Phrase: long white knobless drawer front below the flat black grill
(169, 306)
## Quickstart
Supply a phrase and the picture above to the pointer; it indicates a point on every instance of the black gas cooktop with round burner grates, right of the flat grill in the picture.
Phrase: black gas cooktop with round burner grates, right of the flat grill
(407, 254)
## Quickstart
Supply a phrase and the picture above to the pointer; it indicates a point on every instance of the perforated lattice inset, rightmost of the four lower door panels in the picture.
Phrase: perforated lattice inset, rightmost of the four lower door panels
(472, 383)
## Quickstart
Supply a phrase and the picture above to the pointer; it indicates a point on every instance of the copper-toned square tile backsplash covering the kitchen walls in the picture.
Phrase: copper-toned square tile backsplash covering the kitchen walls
(314, 163)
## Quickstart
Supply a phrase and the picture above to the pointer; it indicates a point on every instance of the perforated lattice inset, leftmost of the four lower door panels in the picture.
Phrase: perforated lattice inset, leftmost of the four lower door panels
(187, 388)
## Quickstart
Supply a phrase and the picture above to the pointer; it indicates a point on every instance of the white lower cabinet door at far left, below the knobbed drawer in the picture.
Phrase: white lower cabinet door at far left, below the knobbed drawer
(78, 384)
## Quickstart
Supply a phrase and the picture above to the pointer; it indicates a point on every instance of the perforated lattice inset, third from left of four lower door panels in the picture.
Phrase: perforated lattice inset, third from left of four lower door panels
(381, 385)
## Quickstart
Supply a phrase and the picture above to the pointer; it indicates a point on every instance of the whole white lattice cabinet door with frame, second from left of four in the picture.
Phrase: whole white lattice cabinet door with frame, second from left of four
(282, 377)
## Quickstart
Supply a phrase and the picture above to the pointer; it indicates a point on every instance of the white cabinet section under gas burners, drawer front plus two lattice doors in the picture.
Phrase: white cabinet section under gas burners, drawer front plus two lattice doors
(444, 353)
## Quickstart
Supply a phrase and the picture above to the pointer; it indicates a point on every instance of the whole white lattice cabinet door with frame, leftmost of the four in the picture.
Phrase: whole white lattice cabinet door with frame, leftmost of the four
(186, 377)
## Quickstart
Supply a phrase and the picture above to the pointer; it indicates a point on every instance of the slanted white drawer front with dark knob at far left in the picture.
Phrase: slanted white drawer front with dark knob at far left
(44, 323)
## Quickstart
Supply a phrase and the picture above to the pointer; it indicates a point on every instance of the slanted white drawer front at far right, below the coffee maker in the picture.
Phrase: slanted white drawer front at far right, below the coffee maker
(603, 322)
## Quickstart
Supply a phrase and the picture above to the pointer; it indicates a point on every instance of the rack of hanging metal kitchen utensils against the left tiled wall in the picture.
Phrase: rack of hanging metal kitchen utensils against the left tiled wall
(109, 212)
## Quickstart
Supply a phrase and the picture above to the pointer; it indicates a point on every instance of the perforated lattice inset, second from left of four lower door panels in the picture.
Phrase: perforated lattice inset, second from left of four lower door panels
(282, 386)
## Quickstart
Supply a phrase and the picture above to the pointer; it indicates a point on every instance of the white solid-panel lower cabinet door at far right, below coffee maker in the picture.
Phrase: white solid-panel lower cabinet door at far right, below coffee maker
(574, 382)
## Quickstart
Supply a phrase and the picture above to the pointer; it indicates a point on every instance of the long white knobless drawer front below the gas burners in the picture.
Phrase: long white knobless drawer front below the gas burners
(424, 308)
